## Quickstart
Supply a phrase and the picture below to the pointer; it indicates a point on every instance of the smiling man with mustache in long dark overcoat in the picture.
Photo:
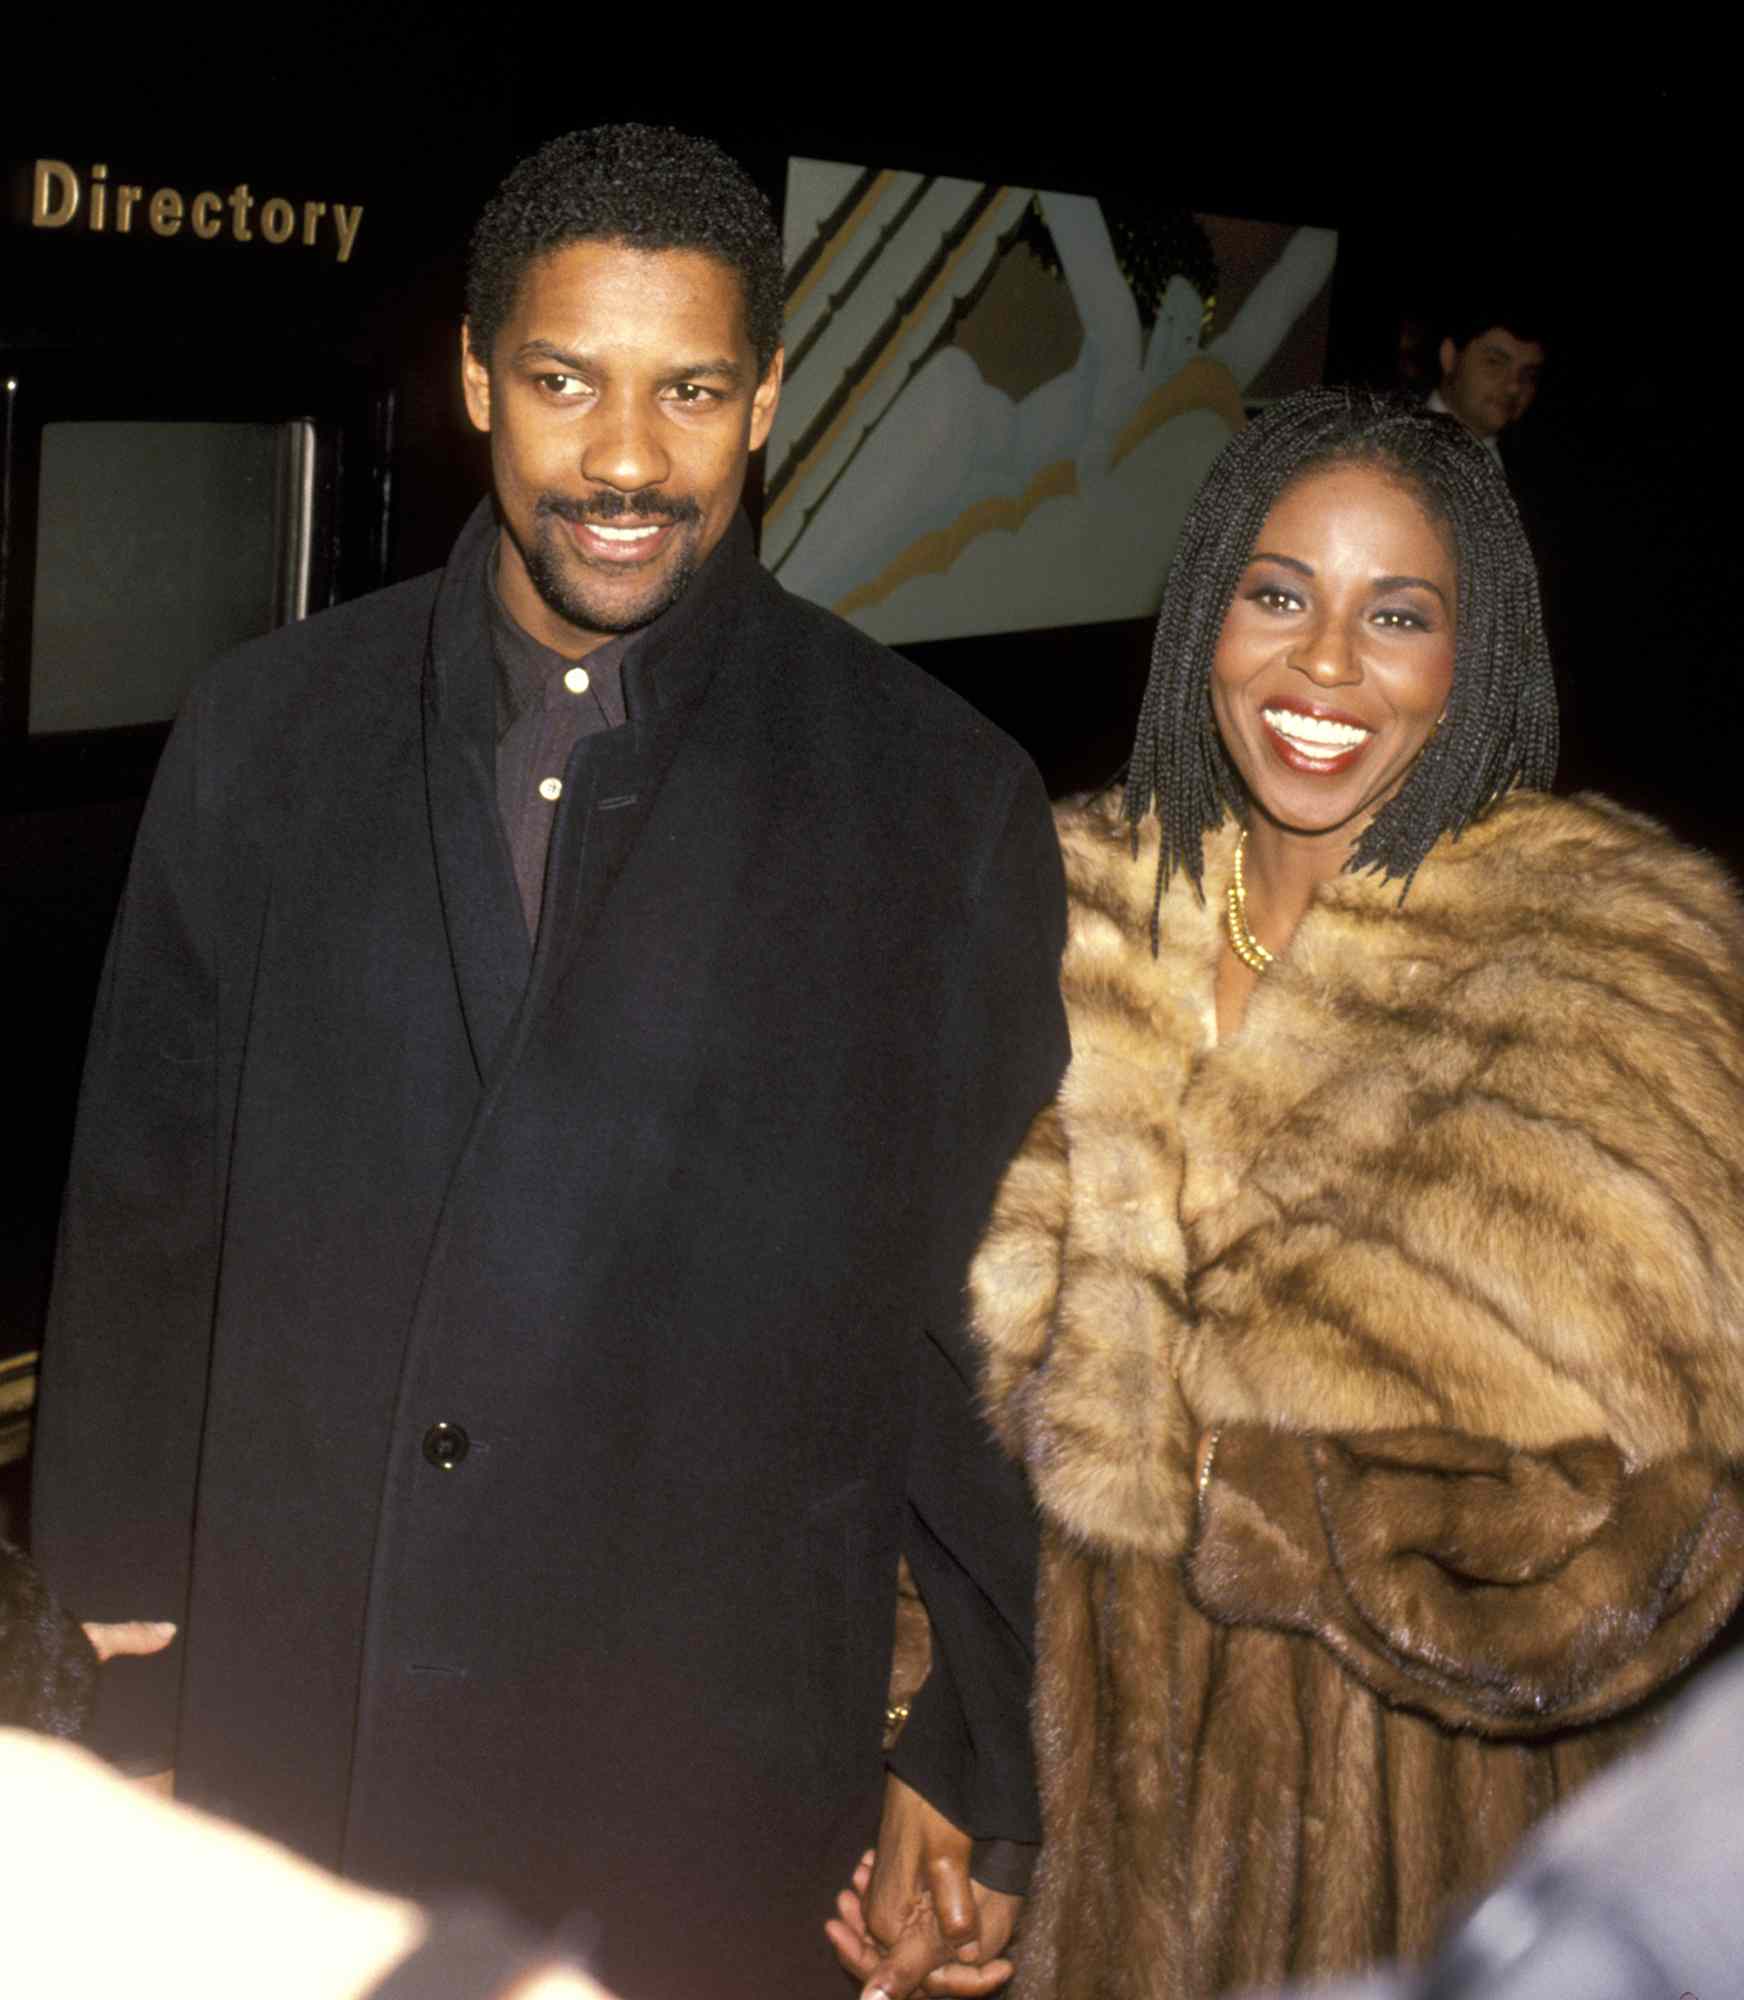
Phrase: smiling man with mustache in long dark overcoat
(559, 1045)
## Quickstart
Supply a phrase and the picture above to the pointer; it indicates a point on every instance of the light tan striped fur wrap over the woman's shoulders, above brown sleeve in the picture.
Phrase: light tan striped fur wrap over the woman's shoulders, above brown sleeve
(1475, 1163)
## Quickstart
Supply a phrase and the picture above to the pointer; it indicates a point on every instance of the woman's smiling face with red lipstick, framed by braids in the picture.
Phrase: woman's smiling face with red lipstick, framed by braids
(1337, 655)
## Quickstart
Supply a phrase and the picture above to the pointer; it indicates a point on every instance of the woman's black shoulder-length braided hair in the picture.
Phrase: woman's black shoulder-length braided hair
(1501, 721)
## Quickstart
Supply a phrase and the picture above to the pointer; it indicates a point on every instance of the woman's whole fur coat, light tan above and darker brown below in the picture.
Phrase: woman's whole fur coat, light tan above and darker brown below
(1445, 1245)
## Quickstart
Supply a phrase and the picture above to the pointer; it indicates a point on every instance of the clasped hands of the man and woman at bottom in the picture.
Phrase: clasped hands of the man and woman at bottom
(913, 1921)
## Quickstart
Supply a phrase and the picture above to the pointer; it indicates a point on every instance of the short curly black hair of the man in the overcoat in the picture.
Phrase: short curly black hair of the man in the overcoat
(645, 187)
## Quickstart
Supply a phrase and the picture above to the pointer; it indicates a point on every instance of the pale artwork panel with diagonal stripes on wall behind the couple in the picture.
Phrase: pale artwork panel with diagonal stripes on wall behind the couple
(1001, 401)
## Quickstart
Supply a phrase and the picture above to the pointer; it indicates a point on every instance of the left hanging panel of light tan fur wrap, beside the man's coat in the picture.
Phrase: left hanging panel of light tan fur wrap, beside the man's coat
(1079, 1293)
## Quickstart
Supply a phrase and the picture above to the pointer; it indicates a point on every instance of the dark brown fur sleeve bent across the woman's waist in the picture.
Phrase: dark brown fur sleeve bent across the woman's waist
(1501, 1591)
